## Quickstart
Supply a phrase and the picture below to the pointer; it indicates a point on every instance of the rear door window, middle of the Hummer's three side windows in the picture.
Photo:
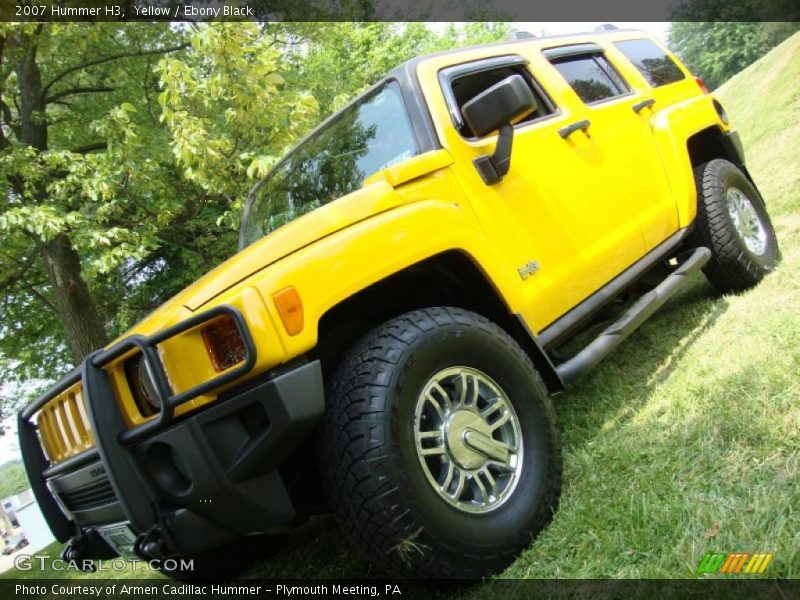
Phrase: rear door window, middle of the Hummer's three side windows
(591, 76)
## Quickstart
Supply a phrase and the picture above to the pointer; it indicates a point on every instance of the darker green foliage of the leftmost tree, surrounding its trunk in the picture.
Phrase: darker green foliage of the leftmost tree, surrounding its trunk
(103, 177)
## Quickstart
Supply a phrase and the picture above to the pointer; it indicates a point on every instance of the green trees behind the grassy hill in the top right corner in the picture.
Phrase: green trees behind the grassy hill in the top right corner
(716, 50)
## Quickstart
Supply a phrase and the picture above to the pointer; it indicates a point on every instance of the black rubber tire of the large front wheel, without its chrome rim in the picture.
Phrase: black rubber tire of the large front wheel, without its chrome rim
(374, 481)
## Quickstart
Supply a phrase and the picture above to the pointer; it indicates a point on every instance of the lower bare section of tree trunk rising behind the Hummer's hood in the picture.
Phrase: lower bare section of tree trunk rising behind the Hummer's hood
(76, 307)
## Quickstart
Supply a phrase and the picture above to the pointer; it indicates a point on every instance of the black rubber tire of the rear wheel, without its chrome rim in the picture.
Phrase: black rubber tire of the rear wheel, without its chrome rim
(733, 266)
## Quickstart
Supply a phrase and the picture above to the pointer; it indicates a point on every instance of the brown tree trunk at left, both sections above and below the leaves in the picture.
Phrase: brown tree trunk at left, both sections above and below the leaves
(77, 310)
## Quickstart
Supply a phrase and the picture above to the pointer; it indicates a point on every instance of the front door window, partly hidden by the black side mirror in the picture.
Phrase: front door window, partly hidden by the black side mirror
(462, 87)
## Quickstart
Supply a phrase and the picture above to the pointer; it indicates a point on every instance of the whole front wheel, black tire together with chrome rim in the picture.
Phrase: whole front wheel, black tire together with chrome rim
(439, 451)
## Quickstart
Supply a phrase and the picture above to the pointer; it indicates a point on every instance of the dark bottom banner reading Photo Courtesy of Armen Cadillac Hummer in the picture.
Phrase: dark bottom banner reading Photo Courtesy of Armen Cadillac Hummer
(496, 589)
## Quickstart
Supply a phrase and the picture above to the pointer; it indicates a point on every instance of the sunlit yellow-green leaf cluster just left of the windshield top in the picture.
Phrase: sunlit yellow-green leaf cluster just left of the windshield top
(229, 111)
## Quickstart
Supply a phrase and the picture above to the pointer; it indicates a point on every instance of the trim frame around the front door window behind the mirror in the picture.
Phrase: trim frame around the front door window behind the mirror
(452, 72)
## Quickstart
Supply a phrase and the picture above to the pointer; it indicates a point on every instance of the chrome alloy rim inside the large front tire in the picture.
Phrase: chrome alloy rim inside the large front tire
(468, 439)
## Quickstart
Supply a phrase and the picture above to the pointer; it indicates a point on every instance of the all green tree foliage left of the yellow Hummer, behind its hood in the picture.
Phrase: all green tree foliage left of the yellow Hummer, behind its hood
(155, 135)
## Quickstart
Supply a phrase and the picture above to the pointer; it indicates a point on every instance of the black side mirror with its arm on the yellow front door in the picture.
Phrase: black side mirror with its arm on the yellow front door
(496, 109)
